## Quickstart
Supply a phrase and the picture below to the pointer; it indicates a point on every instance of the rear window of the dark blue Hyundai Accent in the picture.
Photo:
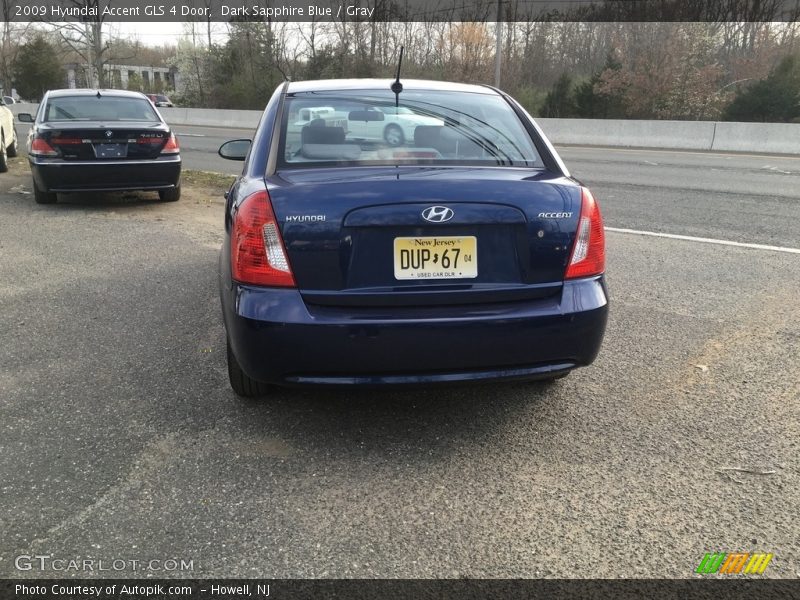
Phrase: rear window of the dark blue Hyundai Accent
(371, 127)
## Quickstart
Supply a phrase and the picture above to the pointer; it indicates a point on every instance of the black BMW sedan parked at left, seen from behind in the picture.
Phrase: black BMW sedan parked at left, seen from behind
(101, 141)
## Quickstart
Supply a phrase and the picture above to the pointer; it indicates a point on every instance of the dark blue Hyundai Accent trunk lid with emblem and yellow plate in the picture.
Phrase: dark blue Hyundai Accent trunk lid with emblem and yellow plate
(423, 235)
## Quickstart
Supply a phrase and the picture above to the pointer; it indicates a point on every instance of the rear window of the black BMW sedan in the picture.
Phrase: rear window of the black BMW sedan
(105, 108)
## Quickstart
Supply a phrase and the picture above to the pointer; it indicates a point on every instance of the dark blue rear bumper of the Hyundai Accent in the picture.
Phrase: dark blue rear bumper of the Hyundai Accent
(278, 339)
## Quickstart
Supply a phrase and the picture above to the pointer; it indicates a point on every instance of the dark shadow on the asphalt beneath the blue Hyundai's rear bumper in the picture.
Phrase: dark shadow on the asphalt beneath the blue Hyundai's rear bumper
(410, 424)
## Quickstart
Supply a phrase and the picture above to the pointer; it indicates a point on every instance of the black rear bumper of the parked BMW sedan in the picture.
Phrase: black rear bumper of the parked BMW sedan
(56, 175)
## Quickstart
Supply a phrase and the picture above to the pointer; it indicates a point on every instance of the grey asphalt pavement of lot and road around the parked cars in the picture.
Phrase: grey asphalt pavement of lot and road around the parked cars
(120, 439)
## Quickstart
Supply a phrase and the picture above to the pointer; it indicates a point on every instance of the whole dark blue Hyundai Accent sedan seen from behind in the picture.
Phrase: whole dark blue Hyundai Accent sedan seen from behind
(461, 250)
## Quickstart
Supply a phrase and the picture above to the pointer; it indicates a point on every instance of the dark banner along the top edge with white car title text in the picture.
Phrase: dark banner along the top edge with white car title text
(403, 10)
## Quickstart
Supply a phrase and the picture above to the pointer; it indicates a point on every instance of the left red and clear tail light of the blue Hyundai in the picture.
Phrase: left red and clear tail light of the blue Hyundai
(258, 256)
